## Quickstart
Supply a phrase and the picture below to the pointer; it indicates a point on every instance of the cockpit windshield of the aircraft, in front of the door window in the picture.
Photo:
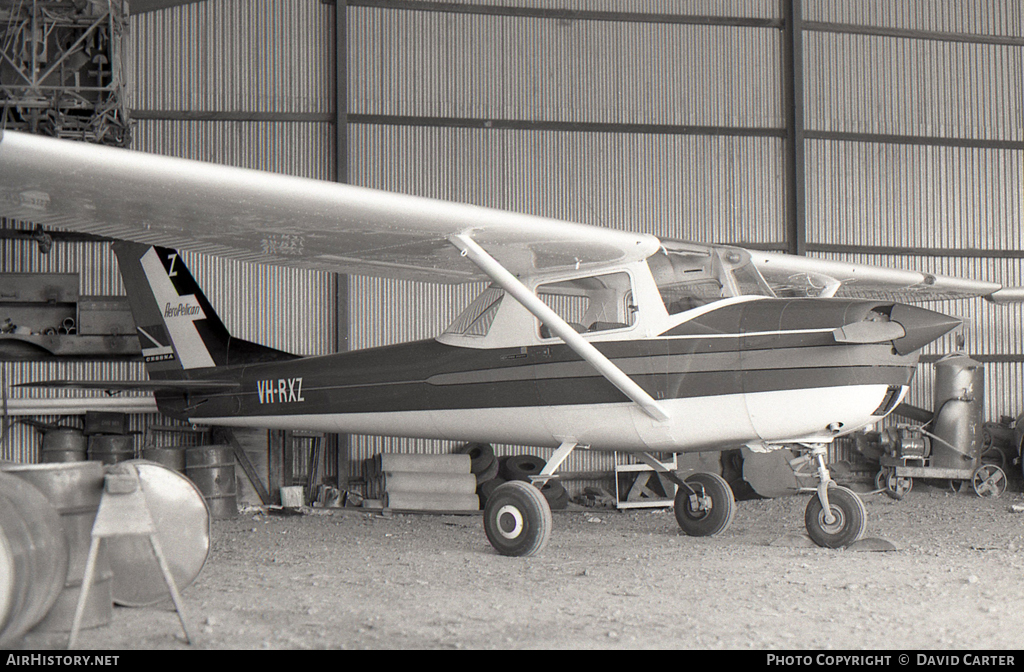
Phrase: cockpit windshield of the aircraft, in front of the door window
(691, 278)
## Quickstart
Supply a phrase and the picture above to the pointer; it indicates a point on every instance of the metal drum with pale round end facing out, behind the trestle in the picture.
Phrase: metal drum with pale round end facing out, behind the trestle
(183, 525)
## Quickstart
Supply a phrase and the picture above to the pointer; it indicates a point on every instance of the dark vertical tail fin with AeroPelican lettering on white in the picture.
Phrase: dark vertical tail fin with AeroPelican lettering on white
(178, 328)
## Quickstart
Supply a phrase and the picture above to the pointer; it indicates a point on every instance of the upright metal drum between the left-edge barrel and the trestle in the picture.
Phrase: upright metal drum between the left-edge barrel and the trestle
(74, 489)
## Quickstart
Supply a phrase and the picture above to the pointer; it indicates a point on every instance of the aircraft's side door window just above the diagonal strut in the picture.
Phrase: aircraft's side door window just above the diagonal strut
(591, 305)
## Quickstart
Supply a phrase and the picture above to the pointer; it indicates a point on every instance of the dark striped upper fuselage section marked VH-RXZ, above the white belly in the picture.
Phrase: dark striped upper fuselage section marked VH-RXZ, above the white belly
(694, 360)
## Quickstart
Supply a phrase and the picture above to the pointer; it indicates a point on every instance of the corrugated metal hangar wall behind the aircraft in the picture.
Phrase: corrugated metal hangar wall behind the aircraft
(881, 132)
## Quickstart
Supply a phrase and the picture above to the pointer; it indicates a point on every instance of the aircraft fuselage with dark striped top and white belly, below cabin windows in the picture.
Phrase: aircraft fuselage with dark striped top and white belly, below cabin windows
(745, 373)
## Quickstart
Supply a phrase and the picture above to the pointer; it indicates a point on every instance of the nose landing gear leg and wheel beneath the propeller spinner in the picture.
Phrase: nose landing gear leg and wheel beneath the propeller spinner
(835, 517)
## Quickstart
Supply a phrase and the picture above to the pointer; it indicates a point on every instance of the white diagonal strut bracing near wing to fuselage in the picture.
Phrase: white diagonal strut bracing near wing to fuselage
(580, 346)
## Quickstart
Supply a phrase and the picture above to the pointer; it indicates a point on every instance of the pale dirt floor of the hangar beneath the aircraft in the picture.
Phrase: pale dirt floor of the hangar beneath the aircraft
(608, 580)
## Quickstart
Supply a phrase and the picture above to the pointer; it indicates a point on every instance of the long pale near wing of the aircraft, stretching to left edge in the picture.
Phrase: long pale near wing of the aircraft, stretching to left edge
(272, 219)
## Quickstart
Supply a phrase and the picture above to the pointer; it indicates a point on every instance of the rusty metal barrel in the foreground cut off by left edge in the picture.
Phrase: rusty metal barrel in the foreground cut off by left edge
(33, 558)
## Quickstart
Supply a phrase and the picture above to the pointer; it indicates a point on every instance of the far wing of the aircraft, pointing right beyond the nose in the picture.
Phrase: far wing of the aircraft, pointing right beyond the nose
(798, 276)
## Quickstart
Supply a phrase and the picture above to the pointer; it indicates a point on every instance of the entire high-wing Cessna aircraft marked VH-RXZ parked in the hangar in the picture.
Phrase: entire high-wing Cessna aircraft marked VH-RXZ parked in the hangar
(586, 339)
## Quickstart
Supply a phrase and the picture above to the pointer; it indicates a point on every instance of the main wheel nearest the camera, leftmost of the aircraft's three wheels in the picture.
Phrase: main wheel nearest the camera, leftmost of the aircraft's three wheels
(518, 520)
